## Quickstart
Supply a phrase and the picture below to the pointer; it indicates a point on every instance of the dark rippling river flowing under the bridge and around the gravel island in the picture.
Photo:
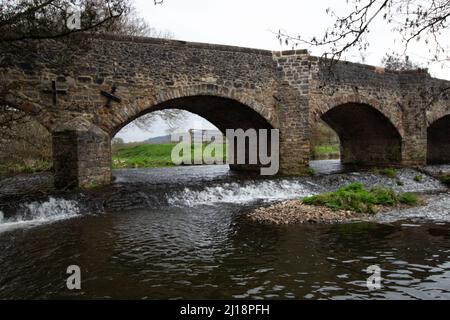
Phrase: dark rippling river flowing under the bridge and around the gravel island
(179, 233)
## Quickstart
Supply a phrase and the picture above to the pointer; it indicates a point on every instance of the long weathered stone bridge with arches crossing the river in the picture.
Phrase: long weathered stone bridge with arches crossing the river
(85, 94)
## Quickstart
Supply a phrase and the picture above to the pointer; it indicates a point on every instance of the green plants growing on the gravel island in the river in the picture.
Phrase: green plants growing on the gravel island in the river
(356, 198)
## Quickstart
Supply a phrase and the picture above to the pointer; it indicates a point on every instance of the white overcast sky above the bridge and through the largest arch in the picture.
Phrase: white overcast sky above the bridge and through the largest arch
(253, 24)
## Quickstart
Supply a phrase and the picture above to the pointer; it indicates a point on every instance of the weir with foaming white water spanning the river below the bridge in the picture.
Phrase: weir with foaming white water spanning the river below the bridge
(189, 187)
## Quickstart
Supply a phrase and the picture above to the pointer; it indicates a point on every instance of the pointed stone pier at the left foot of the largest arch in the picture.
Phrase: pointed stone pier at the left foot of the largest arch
(81, 156)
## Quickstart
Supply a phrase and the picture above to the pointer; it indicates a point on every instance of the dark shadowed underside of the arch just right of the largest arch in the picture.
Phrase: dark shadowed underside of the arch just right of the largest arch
(366, 134)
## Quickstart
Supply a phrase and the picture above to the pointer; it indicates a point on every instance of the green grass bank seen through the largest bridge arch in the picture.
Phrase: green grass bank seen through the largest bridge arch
(147, 156)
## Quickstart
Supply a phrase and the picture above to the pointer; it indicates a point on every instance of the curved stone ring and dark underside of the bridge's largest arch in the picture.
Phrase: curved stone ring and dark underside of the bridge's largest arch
(180, 98)
